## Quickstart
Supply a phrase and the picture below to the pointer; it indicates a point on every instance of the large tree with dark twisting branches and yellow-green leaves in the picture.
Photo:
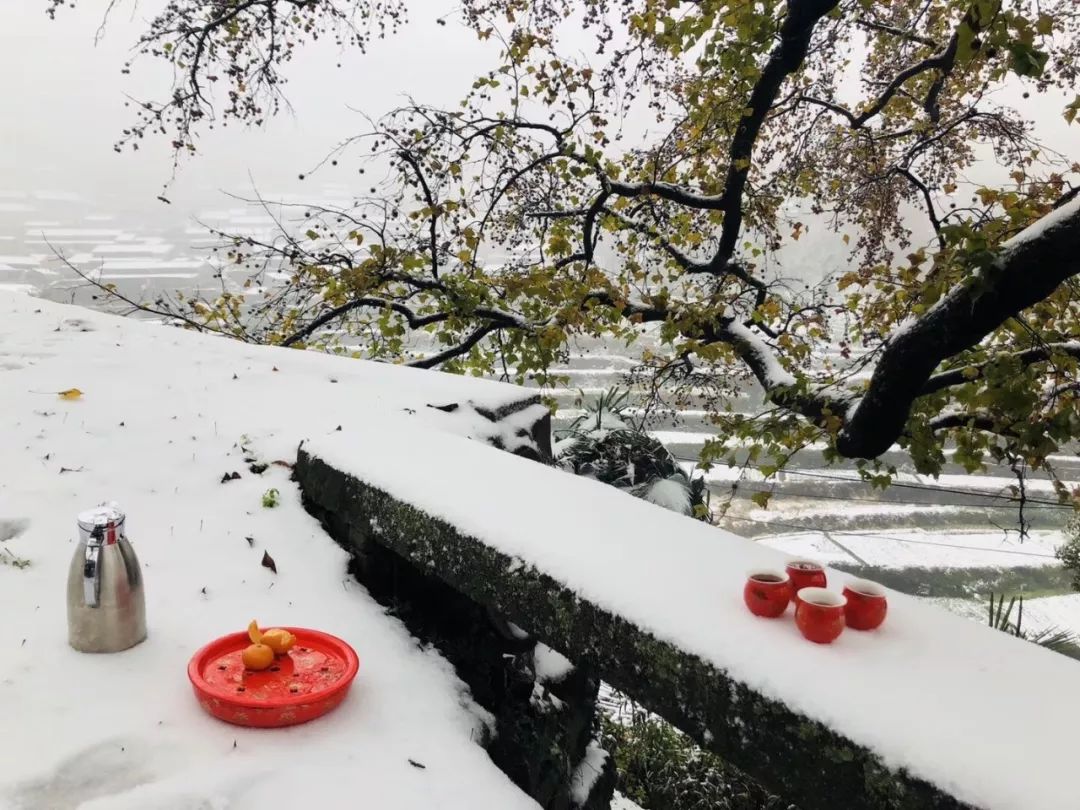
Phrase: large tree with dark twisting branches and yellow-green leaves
(532, 212)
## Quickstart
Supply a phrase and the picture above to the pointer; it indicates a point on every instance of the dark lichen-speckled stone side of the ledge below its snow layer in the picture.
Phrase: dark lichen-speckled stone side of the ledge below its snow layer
(801, 759)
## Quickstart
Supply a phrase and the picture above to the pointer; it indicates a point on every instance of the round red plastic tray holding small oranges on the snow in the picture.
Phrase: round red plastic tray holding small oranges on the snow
(312, 680)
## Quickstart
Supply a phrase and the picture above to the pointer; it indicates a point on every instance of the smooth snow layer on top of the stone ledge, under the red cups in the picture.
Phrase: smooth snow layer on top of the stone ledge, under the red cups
(916, 692)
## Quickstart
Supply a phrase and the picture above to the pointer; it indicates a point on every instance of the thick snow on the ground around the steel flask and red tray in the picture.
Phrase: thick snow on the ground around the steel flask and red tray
(160, 422)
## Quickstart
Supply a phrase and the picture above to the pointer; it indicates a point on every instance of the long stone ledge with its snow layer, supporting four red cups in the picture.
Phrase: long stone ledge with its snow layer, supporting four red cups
(928, 712)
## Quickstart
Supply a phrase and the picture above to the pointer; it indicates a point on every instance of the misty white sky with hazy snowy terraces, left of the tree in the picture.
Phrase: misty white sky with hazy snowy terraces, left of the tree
(64, 101)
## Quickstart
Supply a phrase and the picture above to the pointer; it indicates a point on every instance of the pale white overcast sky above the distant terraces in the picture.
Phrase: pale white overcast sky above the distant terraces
(63, 107)
